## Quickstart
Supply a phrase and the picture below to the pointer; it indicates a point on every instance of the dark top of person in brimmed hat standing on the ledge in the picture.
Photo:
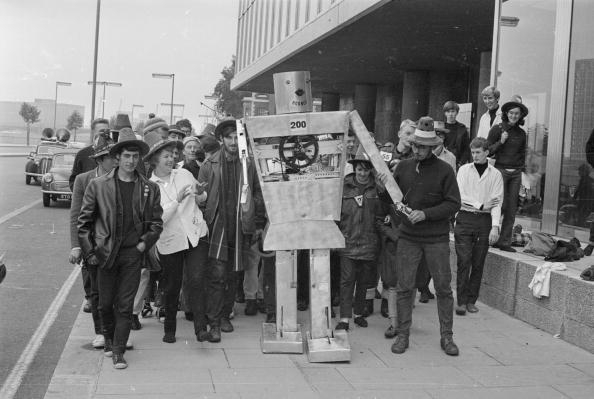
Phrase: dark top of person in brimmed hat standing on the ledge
(511, 154)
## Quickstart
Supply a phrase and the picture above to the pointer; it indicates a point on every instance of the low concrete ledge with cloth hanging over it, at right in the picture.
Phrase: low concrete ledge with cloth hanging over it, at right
(569, 310)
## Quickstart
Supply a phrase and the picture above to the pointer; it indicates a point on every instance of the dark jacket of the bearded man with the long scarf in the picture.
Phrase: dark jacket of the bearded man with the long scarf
(211, 173)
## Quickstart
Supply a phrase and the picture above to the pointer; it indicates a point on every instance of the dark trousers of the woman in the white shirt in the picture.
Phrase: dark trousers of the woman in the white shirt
(194, 263)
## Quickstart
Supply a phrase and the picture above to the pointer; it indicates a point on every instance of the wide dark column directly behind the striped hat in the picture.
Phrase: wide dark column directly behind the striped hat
(415, 94)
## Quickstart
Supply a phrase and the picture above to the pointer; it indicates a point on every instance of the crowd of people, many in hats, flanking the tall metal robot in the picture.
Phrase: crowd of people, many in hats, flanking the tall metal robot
(156, 220)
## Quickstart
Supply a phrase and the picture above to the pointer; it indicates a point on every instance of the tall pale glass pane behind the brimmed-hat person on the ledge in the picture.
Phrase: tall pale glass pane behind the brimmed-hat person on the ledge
(525, 68)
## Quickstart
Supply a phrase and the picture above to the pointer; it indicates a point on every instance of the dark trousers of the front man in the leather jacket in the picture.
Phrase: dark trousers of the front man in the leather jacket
(117, 288)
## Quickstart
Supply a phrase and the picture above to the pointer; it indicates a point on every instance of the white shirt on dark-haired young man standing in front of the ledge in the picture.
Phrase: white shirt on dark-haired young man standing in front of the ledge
(476, 190)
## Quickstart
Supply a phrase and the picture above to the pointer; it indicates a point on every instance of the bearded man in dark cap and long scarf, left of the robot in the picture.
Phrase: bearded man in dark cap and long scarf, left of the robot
(232, 229)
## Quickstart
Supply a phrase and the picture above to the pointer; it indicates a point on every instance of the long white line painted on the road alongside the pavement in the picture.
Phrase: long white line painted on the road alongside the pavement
(15, 378)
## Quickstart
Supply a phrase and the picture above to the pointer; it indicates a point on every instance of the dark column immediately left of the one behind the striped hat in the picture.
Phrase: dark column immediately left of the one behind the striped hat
(387, 112)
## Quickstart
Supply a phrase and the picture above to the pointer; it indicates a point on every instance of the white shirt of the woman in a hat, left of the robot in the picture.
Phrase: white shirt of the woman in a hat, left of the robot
(182, 222)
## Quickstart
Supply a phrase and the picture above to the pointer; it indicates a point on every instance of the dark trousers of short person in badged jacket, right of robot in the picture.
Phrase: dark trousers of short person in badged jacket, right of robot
(354, 272)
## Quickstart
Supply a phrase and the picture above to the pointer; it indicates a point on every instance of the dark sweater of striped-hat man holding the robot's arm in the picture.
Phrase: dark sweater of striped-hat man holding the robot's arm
(429, 186)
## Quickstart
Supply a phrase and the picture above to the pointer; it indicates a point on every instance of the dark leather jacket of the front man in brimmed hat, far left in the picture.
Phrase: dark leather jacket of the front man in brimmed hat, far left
(102, 217)
